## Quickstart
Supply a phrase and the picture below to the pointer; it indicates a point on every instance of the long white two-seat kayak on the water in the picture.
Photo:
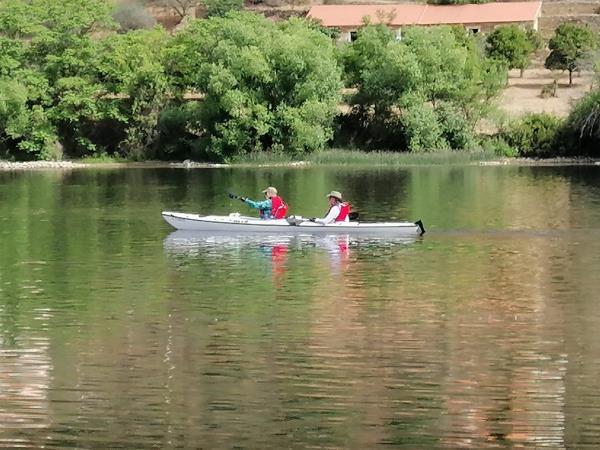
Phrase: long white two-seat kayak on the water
(294, 224)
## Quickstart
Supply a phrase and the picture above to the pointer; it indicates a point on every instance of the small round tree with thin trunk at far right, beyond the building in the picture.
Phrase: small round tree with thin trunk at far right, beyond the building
(569, 48)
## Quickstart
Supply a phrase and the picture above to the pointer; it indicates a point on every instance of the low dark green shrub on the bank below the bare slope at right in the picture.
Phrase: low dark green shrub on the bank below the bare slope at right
(534, 135)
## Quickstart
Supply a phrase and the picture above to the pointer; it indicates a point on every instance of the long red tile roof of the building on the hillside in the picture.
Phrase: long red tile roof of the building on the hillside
(346, 16)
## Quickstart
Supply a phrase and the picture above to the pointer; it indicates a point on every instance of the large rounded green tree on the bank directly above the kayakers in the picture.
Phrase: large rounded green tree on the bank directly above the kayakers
(265, 85)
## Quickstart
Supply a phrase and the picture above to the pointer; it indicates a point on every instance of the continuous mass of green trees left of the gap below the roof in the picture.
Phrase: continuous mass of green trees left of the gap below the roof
(70, 83)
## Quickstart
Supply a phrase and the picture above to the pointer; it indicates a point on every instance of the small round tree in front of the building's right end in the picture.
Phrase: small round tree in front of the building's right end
(511, 44)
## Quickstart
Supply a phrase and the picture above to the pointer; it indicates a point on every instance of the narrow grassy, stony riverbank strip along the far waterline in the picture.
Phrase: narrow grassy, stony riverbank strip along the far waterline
(328, 158)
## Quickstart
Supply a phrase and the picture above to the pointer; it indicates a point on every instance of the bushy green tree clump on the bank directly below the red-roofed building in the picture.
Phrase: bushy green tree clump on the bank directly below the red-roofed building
(425, 92)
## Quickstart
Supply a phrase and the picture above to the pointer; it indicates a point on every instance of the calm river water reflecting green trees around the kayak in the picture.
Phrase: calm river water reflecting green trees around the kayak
(117, 333)
